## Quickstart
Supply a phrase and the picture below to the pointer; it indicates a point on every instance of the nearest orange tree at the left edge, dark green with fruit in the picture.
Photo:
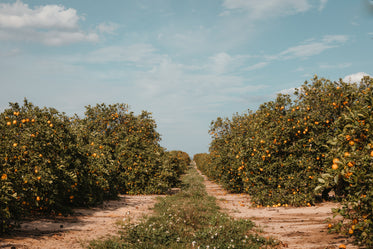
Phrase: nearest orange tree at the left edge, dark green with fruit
(35, 169)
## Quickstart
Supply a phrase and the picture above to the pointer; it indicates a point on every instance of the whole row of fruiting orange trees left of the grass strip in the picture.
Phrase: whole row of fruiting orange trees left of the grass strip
(50, 162)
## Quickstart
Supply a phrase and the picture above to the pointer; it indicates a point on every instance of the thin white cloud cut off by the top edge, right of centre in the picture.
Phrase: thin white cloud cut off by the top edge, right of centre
(259, 9)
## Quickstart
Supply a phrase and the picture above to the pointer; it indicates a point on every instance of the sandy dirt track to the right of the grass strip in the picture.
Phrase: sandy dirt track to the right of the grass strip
(303, 227)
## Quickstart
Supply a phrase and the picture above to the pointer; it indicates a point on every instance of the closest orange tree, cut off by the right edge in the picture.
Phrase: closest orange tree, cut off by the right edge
(349, 163)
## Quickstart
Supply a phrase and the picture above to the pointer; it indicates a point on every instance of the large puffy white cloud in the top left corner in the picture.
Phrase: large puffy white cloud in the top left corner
(52, 25)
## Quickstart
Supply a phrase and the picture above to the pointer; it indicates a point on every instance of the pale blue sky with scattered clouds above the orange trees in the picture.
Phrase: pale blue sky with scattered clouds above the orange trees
(187, 62)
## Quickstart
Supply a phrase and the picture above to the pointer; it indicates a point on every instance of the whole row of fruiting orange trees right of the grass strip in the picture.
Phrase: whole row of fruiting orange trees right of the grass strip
(295, 149)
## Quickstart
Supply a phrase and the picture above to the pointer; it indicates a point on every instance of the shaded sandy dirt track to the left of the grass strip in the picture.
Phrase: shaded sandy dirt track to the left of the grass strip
(76, 231)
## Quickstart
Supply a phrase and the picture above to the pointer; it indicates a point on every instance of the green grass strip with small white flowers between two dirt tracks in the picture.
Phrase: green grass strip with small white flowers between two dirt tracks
(188, 219)
